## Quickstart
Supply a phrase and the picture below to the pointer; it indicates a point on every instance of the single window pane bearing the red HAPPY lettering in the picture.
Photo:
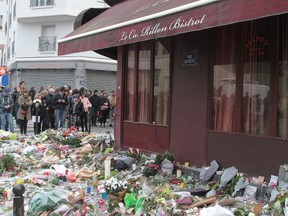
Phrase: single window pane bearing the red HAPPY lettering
(256, 78)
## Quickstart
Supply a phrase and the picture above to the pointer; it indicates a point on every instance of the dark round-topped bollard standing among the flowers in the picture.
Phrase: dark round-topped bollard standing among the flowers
(18, 200)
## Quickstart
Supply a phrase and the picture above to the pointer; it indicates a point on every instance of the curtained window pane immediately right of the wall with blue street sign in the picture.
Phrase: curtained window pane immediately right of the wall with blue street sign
(224, 84)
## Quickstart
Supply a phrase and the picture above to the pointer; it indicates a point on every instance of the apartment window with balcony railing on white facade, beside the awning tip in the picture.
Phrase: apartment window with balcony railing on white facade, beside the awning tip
(47, 41)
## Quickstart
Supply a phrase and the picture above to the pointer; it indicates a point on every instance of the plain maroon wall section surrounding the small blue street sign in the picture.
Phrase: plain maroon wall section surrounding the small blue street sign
(189, 98)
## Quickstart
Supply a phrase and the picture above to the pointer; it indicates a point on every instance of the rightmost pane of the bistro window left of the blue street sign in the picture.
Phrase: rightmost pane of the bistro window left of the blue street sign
(161, 83)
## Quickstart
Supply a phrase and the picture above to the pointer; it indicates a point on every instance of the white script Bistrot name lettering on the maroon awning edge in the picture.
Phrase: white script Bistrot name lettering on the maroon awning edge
(179, 23)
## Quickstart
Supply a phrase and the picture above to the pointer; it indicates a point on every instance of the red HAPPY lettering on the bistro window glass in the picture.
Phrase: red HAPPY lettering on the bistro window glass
(256, 46)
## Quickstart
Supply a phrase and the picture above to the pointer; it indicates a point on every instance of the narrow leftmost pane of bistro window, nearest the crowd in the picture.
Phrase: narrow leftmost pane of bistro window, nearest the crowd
(129, 98)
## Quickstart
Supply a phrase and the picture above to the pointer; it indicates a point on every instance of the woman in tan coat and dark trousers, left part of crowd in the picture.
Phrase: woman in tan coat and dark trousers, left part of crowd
(24, 111)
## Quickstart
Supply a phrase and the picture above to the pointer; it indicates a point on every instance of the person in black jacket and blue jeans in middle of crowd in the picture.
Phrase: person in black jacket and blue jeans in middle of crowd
(60, 102)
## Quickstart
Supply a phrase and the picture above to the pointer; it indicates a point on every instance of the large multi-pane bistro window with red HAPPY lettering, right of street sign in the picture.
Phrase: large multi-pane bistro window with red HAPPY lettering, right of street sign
(248, 98)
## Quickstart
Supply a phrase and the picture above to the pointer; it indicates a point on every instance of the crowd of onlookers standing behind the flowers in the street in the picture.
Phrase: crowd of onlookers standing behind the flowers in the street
(50, 108)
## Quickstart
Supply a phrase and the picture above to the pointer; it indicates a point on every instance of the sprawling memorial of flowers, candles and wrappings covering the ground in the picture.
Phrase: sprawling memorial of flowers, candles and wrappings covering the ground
(65, 172)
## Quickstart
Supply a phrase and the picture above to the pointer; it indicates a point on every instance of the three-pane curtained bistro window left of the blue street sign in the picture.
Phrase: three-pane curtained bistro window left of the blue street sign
(147, 84)
